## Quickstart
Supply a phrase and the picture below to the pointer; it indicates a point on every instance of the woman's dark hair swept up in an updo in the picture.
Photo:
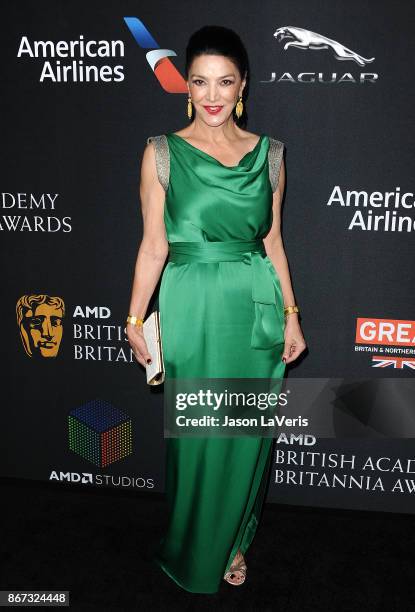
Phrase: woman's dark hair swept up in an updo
(218, 40)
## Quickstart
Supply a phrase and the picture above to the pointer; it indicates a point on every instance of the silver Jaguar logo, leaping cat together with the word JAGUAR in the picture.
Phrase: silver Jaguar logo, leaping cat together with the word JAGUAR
(306, 40)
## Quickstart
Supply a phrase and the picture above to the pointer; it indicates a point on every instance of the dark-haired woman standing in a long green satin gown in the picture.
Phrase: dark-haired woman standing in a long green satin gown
(221, 305)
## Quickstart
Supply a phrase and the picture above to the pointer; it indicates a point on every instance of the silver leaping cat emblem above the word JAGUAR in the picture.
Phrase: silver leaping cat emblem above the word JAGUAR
(305, 39)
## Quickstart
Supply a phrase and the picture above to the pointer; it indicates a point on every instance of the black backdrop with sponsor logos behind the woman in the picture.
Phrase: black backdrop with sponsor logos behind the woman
(85, 84)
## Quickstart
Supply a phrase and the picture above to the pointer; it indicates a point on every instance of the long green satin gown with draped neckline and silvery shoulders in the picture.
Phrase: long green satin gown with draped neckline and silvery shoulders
(221, 315)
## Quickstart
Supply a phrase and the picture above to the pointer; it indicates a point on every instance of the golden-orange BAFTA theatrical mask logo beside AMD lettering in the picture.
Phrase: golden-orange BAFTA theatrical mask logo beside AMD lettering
(39, 318)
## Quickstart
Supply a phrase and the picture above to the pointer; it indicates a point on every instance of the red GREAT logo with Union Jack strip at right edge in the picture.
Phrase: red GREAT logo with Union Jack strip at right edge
(391, 341)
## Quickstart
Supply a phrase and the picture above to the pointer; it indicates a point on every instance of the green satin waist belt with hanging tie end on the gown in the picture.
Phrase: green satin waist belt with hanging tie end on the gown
(268, 326)
